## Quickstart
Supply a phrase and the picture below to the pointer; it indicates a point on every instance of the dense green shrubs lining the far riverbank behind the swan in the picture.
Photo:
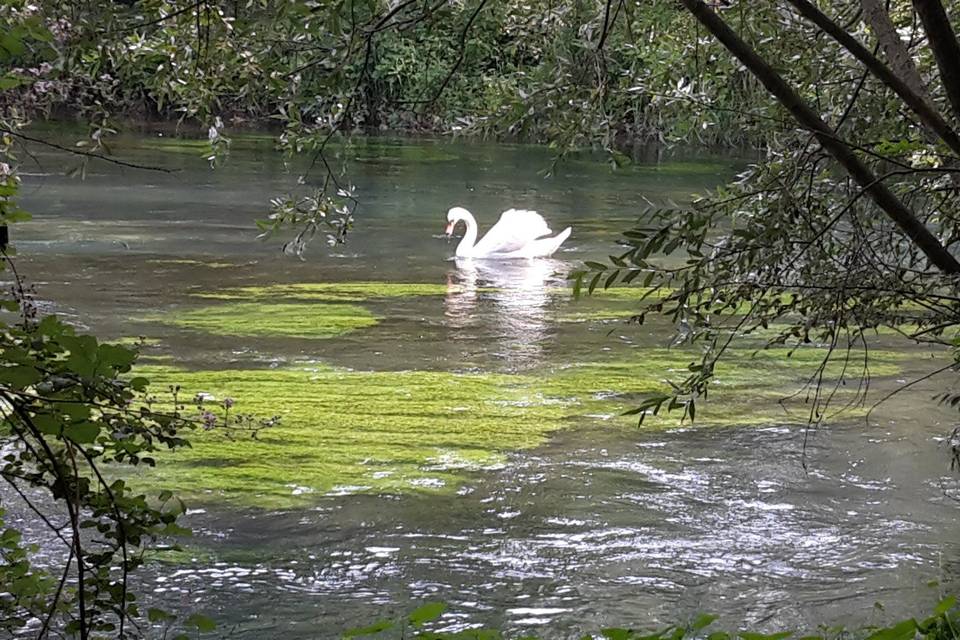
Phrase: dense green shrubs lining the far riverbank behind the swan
(527, 70)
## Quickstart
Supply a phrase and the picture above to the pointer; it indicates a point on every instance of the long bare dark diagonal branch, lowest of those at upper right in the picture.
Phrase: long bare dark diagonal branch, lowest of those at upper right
(827, 137)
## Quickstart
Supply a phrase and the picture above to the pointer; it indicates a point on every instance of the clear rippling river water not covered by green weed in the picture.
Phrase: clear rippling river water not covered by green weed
(600, 526)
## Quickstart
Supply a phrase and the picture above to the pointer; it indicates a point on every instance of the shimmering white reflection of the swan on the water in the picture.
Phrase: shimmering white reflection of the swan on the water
(503, 305)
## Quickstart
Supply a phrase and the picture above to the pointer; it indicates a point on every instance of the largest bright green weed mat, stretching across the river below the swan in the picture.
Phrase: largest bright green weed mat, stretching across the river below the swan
(344, 431)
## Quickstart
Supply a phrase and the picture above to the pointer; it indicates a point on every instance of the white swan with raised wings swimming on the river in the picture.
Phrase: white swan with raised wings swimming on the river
(518, 234)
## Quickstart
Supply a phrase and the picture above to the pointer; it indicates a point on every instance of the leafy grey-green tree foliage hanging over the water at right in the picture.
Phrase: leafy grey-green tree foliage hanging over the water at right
(805, 246)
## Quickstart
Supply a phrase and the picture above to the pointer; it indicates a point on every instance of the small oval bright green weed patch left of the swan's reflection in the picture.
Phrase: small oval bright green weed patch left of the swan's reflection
(250, 319)
